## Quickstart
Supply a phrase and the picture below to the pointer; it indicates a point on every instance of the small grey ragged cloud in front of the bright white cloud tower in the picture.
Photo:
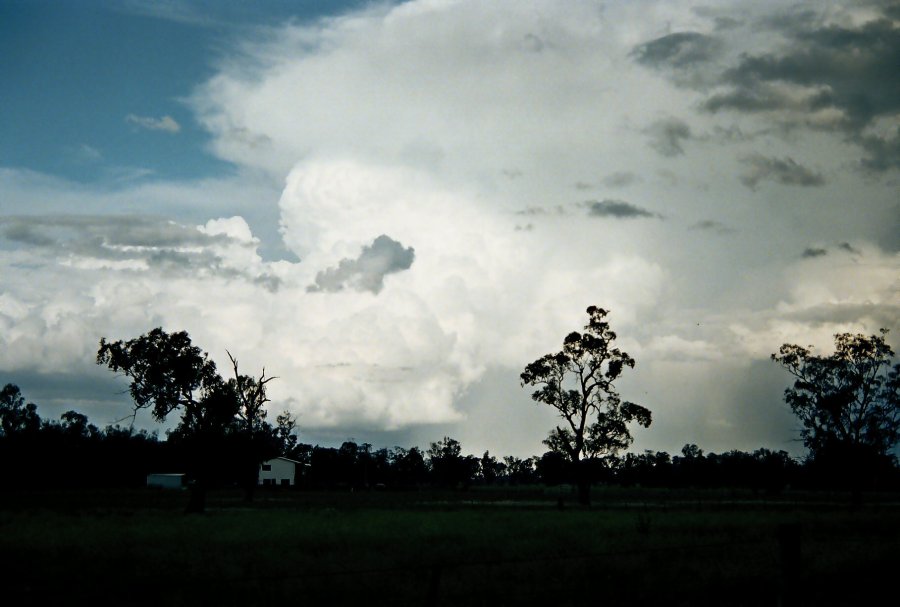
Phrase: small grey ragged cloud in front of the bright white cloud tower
(366, 273)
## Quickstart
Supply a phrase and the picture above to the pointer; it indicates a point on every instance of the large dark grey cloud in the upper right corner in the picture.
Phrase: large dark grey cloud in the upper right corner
(834, 78)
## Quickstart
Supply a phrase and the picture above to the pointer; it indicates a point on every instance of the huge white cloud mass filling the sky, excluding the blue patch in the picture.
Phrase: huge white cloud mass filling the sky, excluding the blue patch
(482, 136)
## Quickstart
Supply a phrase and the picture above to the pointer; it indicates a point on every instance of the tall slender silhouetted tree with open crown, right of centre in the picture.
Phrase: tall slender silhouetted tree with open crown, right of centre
(578, 382)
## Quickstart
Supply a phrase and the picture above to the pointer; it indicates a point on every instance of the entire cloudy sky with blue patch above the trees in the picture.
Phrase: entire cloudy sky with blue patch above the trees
(395, 207)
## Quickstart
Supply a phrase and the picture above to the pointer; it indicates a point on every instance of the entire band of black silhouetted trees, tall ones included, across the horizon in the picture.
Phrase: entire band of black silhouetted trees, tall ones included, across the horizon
(848, 404)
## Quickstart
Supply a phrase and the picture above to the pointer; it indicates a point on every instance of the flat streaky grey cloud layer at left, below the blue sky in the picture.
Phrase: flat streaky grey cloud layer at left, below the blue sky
(159, 243)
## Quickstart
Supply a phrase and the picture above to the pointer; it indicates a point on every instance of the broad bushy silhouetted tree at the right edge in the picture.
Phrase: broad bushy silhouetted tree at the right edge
(848, 402)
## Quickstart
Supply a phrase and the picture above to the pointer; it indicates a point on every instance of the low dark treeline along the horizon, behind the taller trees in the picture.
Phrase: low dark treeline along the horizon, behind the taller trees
(72, 452)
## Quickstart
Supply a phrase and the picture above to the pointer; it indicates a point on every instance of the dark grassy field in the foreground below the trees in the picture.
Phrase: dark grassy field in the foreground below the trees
(513, 546)
